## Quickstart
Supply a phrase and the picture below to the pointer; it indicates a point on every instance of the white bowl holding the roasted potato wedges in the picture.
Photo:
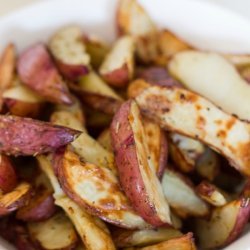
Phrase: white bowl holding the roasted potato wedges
(204, 25)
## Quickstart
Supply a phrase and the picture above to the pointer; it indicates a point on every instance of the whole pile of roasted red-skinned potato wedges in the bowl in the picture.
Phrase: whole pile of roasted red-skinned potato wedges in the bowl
(143, 144)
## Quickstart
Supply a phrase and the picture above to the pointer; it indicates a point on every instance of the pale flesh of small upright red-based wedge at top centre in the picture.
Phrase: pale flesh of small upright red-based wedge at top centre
(121, 54)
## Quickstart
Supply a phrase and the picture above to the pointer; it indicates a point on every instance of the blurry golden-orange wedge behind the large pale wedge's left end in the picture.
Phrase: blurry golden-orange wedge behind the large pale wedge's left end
(169, 45)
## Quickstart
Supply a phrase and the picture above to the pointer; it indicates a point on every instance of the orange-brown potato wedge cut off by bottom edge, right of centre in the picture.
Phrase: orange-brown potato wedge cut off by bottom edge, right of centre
(185, 242)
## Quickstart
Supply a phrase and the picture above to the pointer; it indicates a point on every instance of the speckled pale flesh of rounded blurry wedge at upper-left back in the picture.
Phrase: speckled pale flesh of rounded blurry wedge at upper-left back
(67, 46)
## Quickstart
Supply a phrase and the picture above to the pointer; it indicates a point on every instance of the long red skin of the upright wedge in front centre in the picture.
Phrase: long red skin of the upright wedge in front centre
(126, 159)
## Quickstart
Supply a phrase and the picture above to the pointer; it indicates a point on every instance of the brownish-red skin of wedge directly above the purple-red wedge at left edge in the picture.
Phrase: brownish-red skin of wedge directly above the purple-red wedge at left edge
(22, 108)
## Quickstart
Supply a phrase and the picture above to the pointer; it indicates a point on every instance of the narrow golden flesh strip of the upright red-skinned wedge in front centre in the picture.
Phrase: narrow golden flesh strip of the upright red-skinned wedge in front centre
(147, 170)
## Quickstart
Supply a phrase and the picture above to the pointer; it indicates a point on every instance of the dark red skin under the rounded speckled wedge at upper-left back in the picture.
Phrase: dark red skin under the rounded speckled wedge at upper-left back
(71, 72)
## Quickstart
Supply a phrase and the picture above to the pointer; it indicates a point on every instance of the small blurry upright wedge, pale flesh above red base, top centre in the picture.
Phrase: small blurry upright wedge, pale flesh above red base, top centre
(117, 68)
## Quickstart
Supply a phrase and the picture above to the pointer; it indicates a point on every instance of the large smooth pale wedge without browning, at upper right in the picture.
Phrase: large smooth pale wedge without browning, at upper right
(201, 72)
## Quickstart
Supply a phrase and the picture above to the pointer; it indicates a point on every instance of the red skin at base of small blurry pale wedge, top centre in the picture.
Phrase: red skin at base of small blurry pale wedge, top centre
(117, 78)
